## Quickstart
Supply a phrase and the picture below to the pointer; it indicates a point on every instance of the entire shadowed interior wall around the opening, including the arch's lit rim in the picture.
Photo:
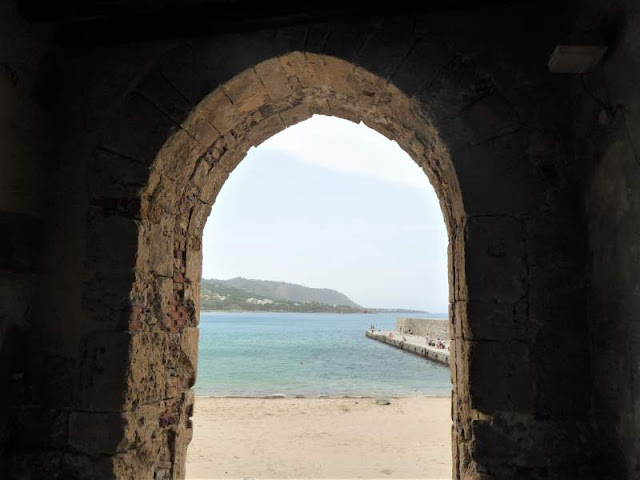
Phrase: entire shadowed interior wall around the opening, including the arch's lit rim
(121, 150)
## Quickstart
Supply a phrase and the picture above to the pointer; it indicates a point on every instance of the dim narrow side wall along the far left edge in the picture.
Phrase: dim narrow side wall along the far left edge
(24, 161)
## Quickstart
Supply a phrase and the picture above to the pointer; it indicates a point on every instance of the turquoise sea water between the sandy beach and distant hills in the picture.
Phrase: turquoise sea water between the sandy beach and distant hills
(309, 354)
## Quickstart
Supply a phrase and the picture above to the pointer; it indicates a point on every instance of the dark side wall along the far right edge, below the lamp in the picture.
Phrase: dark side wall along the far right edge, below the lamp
(607, 117)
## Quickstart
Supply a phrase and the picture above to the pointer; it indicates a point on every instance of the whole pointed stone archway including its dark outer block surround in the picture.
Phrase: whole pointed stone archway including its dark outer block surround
(180, 131)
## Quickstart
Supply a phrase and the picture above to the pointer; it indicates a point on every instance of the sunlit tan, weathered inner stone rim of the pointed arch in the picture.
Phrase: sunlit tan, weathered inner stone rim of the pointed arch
(185, 179)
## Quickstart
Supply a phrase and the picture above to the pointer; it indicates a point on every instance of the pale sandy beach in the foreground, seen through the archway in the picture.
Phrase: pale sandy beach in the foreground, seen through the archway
(320, 438)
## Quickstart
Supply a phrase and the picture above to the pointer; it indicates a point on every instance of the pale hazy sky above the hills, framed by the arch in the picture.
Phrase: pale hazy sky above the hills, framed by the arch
(328, 203)
